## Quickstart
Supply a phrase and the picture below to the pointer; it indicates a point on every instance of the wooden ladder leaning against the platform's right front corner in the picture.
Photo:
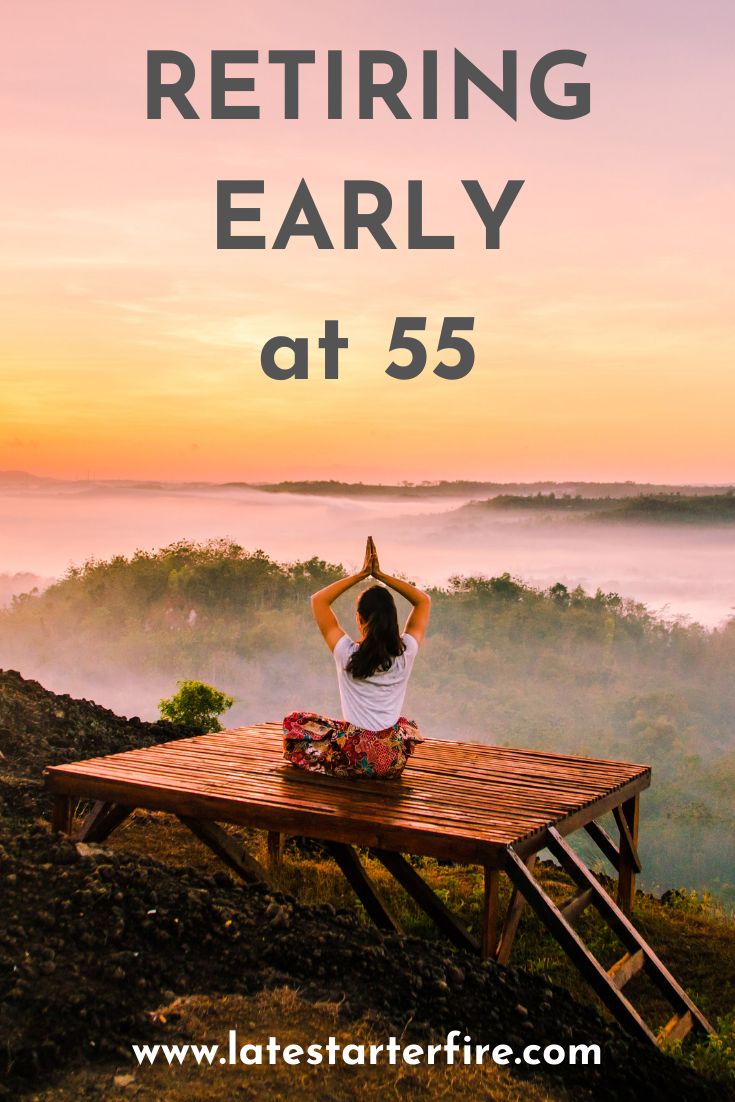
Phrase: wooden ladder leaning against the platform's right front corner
(608, 984)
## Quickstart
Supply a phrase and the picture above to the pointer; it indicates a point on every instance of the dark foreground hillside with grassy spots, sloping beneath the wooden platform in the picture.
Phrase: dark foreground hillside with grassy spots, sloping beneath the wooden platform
(93, 942)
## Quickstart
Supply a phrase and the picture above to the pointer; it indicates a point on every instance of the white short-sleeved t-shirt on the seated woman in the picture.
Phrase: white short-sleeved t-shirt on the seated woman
(376, 703)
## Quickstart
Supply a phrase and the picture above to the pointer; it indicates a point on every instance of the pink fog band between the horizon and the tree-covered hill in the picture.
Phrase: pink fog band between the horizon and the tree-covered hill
(684, 571)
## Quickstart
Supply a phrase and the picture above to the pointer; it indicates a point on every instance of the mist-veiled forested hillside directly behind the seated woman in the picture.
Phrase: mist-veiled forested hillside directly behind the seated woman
(505, 663)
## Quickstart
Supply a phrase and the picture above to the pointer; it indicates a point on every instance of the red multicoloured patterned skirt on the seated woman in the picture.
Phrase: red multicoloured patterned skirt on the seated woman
(318, 744)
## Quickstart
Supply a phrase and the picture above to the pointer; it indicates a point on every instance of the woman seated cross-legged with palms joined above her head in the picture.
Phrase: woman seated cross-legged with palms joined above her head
(373, 738)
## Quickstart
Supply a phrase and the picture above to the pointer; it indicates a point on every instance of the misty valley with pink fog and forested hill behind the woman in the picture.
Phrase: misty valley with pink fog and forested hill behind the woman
(550, 665)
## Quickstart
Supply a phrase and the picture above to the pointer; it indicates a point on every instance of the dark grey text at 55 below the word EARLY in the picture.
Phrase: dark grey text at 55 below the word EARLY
(332, 344)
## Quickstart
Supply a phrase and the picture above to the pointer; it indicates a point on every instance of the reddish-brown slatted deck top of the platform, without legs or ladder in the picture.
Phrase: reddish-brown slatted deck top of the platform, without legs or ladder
(459, 801)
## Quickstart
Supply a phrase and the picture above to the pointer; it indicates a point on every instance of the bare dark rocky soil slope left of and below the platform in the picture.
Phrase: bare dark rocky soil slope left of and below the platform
(92, 941)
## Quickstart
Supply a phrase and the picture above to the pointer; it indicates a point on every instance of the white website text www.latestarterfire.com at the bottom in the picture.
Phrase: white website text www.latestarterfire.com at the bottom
(457, 1049)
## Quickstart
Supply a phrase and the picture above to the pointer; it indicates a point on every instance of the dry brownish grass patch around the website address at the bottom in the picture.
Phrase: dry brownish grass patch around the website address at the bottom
(201, 1020)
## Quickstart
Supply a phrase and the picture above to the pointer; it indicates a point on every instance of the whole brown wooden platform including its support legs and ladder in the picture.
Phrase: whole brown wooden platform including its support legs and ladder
(492, 806)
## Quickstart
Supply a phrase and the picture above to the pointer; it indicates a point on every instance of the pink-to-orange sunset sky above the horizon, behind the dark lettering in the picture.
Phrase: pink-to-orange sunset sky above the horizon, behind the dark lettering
(604, 337)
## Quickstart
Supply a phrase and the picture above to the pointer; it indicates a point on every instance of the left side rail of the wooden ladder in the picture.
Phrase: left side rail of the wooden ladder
(578, 953)
